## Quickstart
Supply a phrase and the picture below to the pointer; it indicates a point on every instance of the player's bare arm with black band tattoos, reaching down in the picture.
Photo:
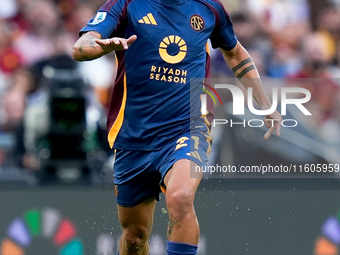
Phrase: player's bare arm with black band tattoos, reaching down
(245, 70)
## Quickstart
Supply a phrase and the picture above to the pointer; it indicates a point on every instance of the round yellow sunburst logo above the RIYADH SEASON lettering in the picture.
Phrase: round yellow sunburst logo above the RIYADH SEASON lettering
(173, 41)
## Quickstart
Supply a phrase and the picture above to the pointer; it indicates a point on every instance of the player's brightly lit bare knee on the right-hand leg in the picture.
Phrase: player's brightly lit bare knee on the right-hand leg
(180, 202)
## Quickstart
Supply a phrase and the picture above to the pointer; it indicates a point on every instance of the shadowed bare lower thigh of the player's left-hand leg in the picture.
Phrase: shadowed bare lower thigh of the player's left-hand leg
(138, 218)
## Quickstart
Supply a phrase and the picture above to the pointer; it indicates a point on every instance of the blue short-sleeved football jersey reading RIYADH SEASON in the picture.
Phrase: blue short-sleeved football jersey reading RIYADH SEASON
(152, 100)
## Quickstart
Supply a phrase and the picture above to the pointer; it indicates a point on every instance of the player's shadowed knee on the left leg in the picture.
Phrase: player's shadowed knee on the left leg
(135, 238)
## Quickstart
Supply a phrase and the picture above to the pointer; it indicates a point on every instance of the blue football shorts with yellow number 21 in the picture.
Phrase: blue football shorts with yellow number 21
(138, 175)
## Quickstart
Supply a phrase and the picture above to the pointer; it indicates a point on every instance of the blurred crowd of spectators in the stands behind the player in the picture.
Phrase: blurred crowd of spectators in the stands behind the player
(286, 38)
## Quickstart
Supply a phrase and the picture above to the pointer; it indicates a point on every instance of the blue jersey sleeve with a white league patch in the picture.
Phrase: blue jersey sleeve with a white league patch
(107, 19)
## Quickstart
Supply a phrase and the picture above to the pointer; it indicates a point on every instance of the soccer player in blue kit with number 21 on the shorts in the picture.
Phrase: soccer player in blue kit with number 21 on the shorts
(157, 134)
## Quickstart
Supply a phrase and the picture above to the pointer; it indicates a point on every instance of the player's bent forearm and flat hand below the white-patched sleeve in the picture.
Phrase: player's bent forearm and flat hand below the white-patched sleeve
(91, 46)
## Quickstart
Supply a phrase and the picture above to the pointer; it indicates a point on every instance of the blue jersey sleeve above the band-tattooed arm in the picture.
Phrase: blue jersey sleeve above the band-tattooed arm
(223, 35)
